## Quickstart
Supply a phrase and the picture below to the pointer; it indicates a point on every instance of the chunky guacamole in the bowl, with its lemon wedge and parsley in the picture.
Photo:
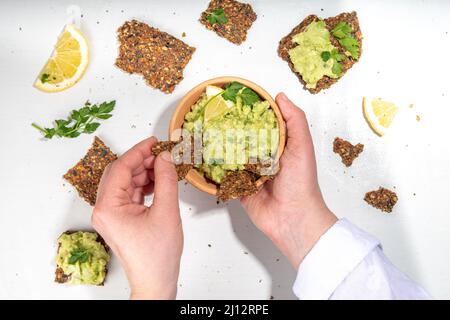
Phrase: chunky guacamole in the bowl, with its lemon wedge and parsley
(236, 127)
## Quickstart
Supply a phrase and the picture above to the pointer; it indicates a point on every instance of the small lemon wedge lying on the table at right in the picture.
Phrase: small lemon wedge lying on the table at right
(379, 114)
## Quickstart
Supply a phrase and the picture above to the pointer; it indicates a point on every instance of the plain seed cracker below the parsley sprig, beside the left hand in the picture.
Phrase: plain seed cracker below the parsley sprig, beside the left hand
(86, 174)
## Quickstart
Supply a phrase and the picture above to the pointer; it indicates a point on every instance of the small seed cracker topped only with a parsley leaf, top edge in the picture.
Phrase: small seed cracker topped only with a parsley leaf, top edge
(230, 19)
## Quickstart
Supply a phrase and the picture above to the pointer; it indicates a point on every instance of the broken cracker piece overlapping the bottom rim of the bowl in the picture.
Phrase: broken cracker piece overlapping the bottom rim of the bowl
(237, 184)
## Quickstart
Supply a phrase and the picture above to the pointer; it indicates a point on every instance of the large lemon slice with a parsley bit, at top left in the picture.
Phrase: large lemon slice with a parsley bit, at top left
(68, 62)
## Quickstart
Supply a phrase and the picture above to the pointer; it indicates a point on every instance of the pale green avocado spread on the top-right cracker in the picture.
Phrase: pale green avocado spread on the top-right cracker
(307, 58)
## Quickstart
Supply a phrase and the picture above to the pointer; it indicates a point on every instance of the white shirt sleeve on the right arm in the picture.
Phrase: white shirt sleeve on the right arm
(348, 263)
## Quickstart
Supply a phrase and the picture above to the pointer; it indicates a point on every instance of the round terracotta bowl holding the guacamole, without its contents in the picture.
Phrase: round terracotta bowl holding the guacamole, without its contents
(185, 105)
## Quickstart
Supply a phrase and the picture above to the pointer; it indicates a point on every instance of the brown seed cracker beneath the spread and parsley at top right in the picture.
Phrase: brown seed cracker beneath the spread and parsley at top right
(287, 44)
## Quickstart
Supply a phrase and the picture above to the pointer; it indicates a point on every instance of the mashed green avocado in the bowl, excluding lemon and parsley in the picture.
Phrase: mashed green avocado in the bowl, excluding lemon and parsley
(233, 131)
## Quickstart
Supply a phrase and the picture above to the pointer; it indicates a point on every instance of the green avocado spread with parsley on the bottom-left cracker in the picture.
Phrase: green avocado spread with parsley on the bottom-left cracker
(82, 258)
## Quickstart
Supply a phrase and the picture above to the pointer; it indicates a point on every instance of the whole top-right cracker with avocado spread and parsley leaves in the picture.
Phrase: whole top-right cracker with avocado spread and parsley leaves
(320, 51)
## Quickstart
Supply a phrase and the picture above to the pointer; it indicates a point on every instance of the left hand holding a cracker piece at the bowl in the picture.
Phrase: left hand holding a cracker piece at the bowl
(147, 240)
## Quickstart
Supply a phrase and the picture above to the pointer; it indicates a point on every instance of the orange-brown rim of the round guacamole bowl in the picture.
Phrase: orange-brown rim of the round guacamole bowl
(194, 177)
